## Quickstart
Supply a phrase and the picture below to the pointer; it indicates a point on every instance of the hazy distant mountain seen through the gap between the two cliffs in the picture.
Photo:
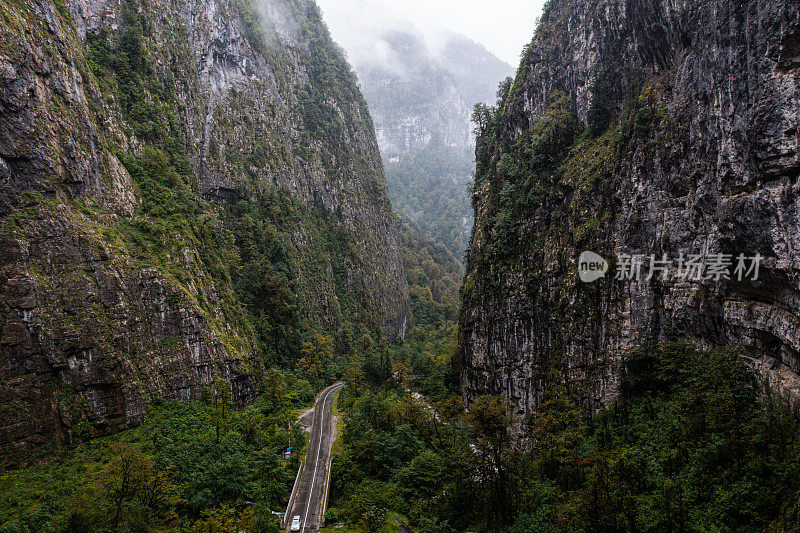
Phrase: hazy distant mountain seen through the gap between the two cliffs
(421, 94)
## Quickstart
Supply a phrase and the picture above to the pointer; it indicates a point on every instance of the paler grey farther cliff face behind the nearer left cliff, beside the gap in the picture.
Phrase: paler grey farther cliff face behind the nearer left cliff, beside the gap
(268, 99)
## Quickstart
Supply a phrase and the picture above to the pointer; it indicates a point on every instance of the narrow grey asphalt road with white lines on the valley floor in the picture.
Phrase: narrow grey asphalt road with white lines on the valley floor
(311, 486)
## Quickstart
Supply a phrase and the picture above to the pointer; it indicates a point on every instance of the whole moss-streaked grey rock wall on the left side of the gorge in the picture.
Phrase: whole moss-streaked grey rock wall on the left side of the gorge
(92, 328)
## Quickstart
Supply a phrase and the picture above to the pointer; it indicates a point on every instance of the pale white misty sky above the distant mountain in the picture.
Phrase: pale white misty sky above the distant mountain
(502, 26)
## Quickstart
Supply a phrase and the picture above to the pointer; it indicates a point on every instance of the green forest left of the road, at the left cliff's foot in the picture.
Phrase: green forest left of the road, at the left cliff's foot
(201, 466)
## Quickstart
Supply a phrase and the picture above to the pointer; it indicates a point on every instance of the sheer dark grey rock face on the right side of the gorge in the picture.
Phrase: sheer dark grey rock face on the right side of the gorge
(691, 147)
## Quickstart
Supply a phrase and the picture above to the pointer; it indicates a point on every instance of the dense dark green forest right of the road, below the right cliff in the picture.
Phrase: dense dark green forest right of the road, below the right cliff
(694, 443)
